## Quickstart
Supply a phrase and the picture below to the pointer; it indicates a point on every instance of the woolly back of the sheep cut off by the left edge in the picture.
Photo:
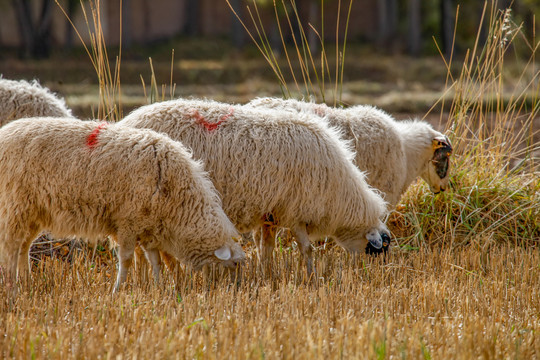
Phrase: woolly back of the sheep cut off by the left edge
(21, 99)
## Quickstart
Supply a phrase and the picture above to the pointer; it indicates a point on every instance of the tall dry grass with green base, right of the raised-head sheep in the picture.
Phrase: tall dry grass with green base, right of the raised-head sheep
(495, 172)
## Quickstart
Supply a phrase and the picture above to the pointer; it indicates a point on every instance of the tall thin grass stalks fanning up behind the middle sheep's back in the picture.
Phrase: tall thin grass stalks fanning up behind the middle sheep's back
(309, 73)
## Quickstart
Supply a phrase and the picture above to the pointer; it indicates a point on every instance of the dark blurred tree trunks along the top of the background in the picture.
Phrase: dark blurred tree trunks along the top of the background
(37, 27)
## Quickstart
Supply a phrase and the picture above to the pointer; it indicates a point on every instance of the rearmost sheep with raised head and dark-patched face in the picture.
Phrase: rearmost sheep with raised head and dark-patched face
(392, 153)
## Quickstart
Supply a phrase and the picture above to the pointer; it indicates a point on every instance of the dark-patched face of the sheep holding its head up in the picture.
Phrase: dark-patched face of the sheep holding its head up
(436, 173)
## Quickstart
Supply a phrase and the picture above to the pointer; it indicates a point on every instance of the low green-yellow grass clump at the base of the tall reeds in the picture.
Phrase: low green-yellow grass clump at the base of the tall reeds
(479, 207)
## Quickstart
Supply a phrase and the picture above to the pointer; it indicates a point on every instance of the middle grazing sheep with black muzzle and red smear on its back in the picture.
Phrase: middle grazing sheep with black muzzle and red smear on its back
(263, 162)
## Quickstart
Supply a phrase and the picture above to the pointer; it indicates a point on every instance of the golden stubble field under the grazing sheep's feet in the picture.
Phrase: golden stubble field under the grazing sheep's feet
(431, 303)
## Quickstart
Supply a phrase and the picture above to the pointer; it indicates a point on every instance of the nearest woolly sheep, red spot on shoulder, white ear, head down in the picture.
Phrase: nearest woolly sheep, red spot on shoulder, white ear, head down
(135, 185)
